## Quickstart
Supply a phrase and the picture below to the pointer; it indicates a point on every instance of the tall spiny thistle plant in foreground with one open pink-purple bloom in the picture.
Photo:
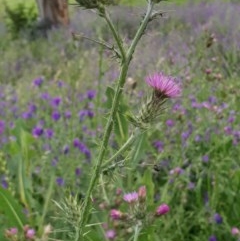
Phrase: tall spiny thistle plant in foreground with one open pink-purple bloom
(163, 88)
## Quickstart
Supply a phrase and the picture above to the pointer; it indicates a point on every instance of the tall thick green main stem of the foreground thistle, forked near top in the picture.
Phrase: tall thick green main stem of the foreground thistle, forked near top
(108, 128)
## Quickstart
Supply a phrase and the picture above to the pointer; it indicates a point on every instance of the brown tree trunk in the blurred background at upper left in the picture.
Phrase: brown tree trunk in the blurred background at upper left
(53, 13)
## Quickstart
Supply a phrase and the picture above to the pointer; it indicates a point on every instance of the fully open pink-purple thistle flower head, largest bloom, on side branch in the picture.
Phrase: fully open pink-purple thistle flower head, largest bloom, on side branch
(164, 86)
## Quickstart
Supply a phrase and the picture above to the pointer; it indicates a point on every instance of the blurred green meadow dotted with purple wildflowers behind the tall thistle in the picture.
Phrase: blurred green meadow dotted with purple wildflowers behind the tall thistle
(178, 180)
